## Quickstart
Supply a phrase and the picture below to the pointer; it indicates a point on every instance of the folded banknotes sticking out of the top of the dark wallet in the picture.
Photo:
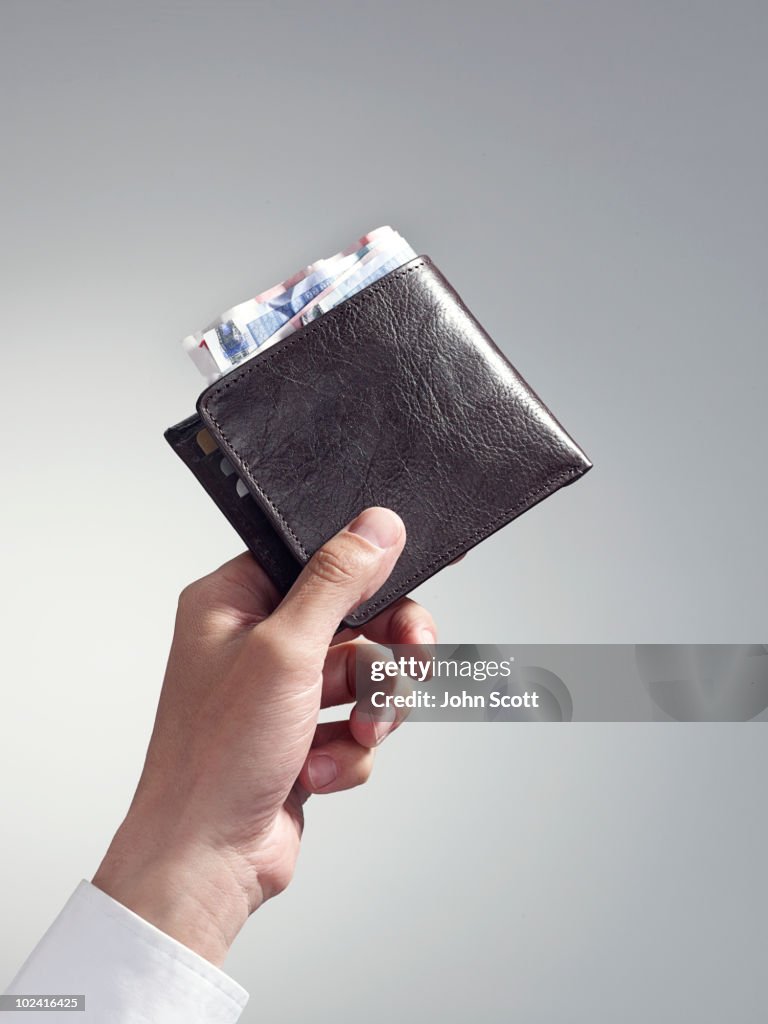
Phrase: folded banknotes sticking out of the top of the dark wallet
(250, 327)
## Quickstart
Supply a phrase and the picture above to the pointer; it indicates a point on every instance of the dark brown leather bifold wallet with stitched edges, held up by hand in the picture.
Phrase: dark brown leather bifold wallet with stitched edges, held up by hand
(397, 397)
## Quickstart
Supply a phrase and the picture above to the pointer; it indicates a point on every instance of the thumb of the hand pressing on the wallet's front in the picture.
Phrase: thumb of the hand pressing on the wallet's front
(346, 572)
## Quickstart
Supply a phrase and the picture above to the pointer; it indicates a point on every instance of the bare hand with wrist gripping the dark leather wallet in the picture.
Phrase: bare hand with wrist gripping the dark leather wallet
(216, 825)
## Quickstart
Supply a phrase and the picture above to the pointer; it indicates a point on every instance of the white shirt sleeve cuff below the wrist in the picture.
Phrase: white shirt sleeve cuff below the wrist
(130, 971)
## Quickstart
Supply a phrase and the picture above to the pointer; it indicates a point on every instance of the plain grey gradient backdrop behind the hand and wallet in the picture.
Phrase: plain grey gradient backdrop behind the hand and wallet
(591, 177)
